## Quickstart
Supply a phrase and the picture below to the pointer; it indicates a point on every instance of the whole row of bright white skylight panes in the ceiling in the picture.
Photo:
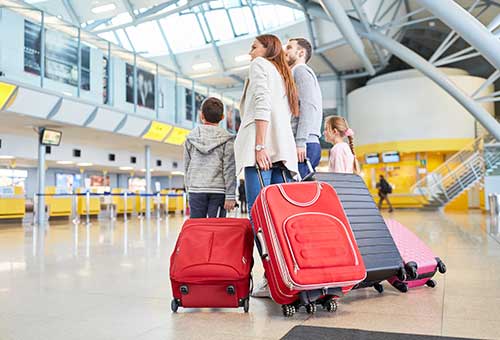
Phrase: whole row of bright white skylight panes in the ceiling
(147, 38)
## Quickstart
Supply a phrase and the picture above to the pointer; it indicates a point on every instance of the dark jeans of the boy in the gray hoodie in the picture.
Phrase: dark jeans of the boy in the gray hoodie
(206, 205)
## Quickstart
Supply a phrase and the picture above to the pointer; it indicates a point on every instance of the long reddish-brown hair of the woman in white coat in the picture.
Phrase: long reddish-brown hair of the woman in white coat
(276, 55)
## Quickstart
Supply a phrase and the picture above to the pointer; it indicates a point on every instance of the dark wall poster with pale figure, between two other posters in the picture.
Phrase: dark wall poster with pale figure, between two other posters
(145, 87)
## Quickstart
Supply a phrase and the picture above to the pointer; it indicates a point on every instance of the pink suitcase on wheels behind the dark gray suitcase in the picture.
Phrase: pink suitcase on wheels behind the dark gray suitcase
(420, 262)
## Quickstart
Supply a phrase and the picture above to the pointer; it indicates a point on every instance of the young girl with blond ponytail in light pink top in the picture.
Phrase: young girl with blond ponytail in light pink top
(342, 155)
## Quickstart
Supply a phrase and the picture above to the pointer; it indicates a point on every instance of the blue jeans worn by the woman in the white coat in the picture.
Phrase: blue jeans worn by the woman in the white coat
(252, 185)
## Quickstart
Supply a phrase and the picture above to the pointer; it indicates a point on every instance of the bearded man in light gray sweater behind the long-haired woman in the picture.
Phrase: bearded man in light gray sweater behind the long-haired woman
(307, 126)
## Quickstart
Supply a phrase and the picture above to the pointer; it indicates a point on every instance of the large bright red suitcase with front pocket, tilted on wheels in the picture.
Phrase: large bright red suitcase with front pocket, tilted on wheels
(309, 253)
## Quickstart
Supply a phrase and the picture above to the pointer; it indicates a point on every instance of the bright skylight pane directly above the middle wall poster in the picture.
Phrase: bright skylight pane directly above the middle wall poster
(147, 38)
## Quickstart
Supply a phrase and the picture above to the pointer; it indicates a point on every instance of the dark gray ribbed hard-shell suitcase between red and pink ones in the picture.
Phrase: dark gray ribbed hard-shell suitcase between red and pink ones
(380, 254)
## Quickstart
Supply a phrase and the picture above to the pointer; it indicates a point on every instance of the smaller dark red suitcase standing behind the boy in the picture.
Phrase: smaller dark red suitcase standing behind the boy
(212, 263)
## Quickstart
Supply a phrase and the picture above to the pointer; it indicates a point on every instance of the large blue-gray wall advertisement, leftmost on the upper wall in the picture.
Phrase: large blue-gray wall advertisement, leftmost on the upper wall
(61, 56)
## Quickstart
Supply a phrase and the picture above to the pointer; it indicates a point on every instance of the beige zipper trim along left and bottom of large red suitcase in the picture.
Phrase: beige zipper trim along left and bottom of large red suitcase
(280, 259)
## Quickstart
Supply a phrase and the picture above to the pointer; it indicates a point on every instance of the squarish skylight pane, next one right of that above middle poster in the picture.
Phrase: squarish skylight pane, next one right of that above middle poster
(191, 37)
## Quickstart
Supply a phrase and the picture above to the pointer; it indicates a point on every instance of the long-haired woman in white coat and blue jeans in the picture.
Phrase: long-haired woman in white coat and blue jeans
(265, 137)
